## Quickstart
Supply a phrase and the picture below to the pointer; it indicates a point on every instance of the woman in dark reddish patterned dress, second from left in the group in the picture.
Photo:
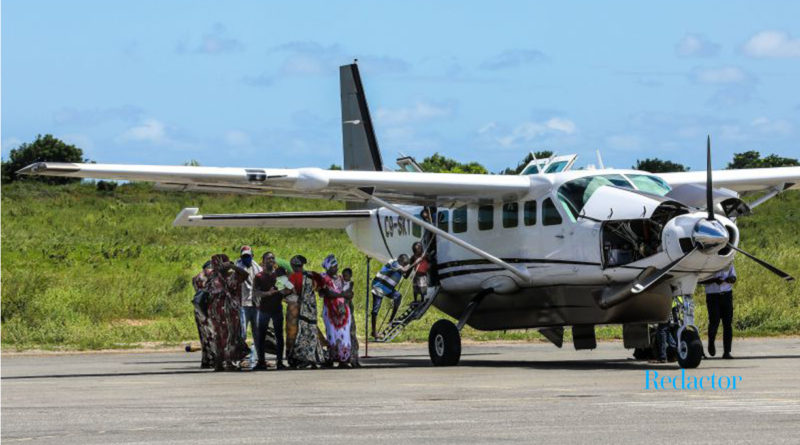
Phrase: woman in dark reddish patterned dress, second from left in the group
(223, 310)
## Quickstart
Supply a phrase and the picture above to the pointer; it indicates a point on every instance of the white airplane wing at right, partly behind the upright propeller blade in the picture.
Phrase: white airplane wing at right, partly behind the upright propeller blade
(742, 181)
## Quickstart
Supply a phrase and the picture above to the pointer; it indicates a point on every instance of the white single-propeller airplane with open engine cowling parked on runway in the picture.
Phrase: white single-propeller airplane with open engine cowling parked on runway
(549, 248)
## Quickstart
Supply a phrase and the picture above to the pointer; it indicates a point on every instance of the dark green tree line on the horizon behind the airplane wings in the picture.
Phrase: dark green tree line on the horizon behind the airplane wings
(49, 148)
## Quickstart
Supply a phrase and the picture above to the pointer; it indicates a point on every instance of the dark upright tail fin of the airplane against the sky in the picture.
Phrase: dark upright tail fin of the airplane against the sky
(358, 135)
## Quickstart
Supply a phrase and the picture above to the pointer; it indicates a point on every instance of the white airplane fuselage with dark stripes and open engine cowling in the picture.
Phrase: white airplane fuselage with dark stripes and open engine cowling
(563, 254)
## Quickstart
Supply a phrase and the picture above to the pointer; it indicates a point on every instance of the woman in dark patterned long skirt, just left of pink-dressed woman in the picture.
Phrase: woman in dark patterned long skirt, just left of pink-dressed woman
(303, 346)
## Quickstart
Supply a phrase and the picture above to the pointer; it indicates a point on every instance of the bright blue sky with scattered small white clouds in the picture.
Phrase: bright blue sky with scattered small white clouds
(255, 84)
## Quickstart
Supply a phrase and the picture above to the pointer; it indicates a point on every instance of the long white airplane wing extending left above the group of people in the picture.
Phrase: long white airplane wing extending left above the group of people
(343, 185)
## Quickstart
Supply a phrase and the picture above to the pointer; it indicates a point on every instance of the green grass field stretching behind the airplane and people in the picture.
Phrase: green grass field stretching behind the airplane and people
(84, 269)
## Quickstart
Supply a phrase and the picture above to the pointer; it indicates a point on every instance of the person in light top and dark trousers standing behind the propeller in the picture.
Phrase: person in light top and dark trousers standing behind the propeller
(719, 301)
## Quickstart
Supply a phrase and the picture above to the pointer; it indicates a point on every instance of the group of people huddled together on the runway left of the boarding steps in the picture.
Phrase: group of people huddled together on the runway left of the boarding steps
(230, 296)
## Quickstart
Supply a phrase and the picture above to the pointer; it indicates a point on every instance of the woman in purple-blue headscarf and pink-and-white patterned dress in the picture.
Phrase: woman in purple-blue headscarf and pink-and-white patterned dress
(335, 313)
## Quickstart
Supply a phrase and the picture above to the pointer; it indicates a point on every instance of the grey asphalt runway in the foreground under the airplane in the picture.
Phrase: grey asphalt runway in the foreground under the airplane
(499, 393)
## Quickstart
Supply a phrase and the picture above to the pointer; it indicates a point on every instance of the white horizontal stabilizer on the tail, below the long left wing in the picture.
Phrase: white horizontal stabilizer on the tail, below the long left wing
(331, 219)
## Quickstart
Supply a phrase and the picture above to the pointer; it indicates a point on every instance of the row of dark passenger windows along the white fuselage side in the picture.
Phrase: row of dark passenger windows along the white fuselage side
(510, 216)
